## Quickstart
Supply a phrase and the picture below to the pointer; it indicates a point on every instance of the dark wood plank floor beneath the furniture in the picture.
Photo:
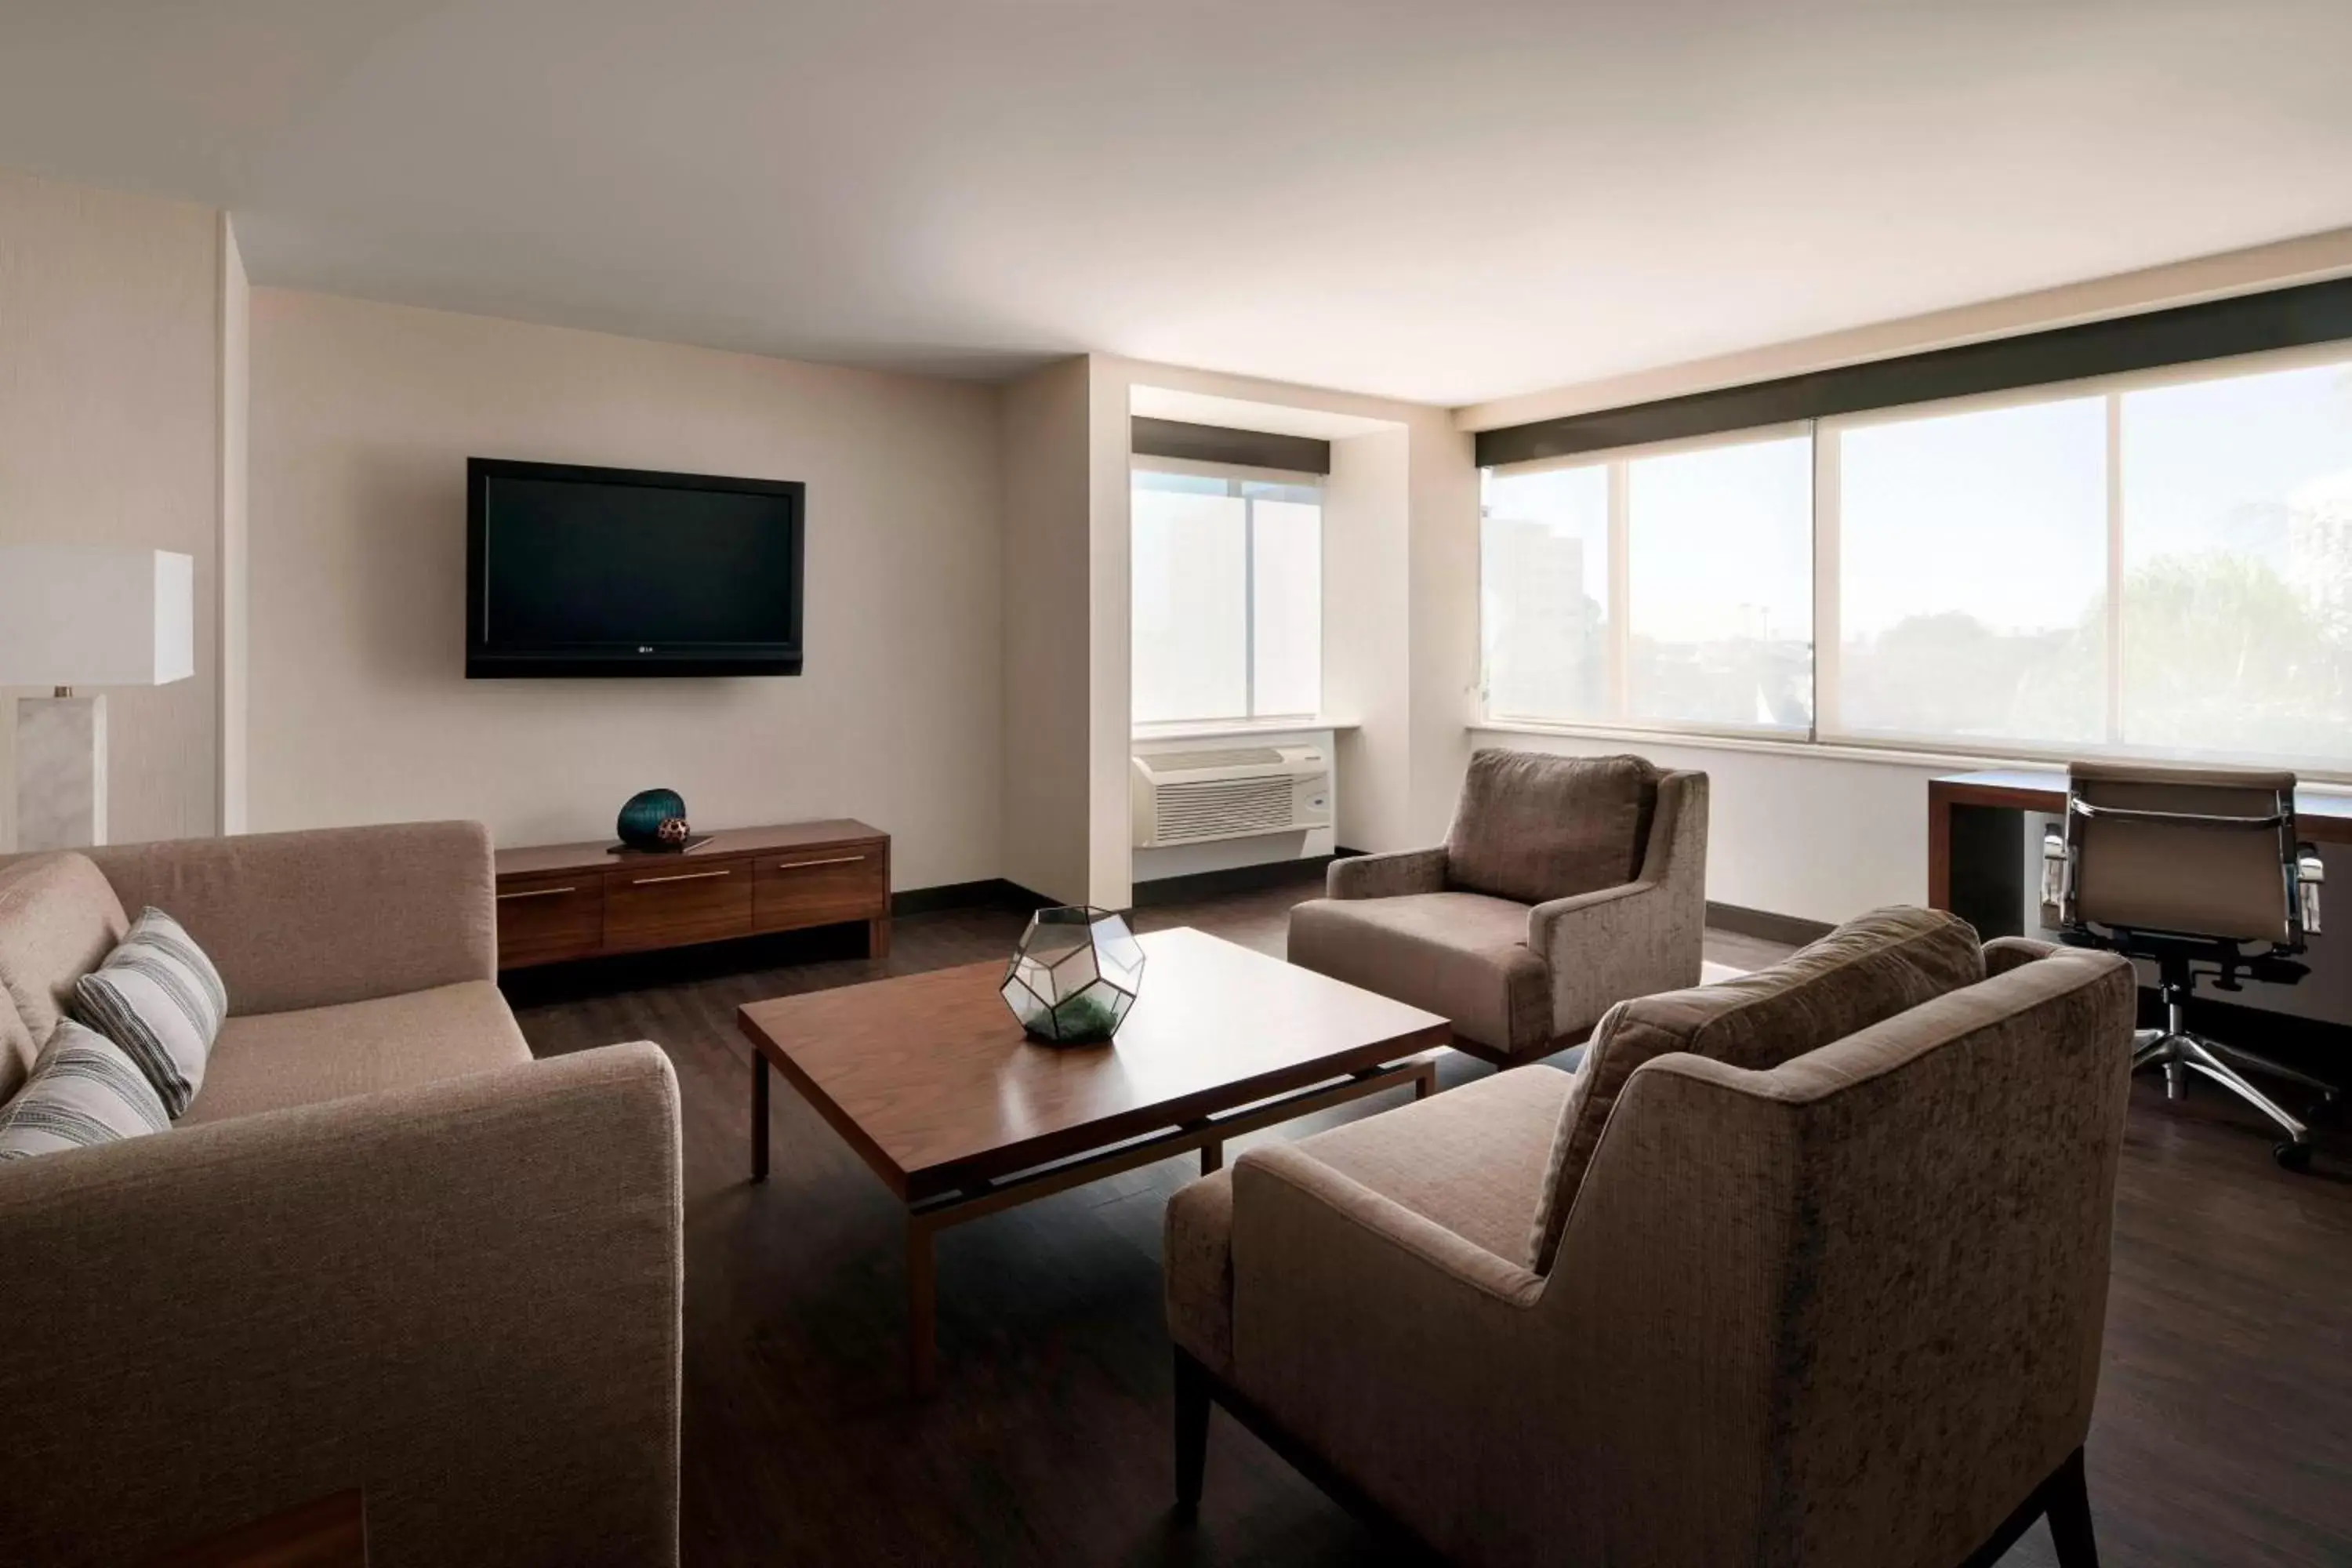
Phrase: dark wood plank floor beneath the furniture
(2224, 1428)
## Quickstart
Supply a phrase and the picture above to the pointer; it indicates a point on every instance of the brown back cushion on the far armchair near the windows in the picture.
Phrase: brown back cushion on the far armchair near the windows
(1539, 829)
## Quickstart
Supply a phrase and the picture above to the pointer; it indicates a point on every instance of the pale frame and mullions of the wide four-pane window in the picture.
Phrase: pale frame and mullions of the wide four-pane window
(1824, 735)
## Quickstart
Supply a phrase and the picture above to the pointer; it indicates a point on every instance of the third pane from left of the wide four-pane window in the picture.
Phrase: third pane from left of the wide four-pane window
(1975, 575)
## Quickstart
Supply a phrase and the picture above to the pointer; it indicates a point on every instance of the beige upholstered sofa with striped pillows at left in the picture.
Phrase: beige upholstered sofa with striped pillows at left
(382, 1249)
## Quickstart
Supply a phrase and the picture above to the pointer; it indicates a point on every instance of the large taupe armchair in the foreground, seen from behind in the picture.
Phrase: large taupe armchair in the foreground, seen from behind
(1836, 1311)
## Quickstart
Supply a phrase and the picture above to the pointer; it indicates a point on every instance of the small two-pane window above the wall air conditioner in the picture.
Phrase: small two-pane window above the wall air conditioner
(1227, 587)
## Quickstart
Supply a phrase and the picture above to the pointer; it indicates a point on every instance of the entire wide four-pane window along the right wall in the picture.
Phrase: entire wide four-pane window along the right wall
(2153, 563)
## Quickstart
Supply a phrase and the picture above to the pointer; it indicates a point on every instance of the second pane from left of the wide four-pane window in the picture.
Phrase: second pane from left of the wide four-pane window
(1720, 582)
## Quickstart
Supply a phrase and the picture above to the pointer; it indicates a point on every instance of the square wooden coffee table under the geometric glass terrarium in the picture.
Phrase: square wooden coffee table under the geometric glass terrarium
(961, 1115)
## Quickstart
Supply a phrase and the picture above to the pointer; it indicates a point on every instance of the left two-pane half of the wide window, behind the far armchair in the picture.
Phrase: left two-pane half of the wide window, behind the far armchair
(1709, 619)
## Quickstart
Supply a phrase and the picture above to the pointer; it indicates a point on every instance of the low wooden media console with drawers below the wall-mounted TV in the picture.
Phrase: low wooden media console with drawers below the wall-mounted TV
(575, 902)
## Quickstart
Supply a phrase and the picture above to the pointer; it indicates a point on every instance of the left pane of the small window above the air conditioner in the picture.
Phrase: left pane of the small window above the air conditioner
(1191, 601)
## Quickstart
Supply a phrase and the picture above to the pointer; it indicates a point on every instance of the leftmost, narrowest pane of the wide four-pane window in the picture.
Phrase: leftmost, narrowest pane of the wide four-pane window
(1544, 594)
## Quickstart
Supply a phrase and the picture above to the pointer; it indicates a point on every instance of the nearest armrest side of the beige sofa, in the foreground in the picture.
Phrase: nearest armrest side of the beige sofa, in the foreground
(460, 1296)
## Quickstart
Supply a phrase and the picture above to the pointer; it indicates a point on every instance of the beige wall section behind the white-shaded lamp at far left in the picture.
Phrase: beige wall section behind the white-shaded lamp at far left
(112, 328)
